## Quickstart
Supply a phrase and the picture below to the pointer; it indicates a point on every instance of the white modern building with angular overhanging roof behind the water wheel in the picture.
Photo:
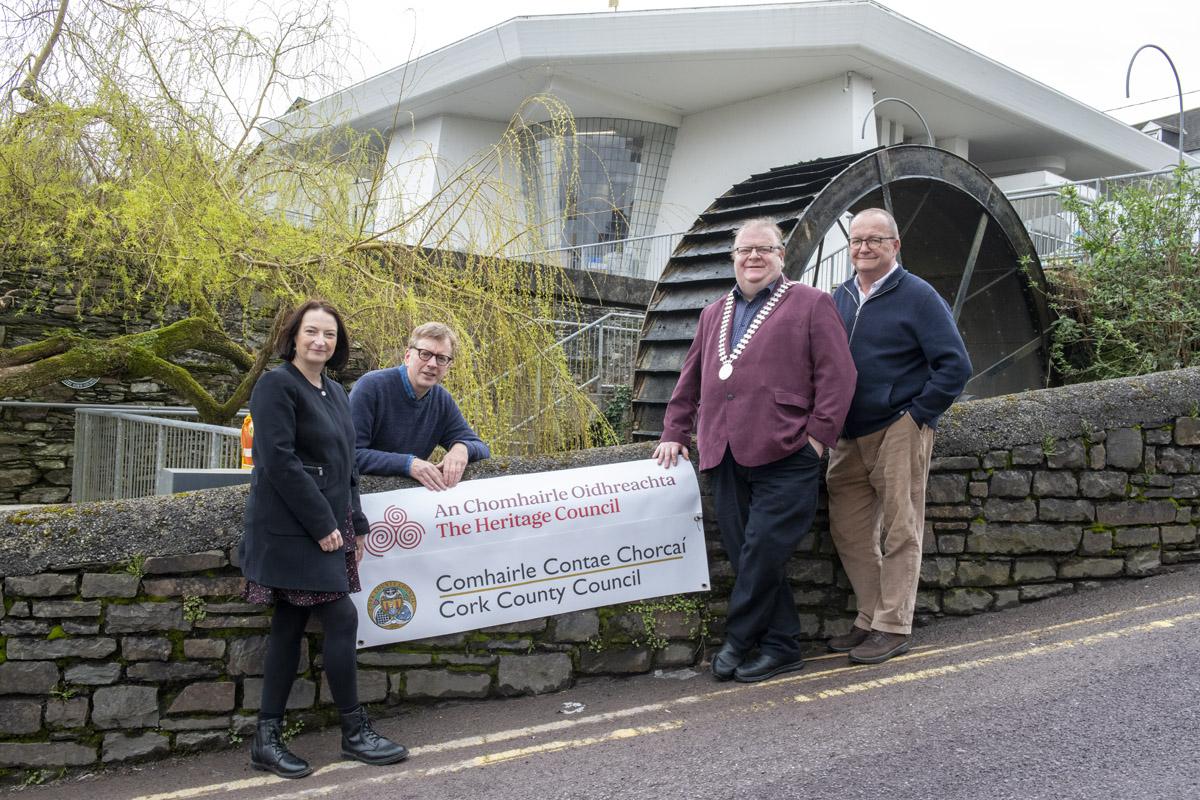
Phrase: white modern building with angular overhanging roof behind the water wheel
(674, 107)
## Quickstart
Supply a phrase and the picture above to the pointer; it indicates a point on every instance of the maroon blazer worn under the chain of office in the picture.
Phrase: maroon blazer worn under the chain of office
(794, 381)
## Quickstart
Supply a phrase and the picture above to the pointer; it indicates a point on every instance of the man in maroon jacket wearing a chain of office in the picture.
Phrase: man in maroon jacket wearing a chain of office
(772, 376)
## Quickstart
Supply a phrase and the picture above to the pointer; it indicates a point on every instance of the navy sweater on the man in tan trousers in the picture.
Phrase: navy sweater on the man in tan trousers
(908, 350)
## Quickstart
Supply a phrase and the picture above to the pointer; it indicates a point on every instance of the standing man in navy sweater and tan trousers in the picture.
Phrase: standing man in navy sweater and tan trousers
(911, 365)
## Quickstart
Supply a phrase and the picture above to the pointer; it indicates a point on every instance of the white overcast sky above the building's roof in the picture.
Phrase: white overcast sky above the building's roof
(1079, 47)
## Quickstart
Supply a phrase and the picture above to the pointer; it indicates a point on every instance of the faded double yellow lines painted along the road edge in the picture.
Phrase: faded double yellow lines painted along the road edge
(665, 707)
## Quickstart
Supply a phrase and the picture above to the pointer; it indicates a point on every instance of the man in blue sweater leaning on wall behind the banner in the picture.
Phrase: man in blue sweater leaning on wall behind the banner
(401, 414)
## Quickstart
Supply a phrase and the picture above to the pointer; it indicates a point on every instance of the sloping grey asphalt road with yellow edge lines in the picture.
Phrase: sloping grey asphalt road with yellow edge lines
(1089, 696)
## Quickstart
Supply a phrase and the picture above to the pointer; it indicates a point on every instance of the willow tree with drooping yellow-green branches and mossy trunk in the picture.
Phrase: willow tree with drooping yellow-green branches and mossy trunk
(140, 175)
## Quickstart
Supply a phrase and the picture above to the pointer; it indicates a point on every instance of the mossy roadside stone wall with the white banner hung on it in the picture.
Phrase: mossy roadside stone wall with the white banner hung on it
(123, 635)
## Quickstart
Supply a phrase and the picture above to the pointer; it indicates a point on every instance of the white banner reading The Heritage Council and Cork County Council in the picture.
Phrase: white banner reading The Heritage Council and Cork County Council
(513, 549)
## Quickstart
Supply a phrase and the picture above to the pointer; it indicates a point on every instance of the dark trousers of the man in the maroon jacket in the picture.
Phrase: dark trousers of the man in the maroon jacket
(764, 514)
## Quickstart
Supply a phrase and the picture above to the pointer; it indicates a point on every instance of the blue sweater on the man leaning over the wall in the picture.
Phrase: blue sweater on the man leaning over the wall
(393, 426)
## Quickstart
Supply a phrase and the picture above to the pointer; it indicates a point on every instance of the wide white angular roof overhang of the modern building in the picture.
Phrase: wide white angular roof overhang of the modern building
(667, 65)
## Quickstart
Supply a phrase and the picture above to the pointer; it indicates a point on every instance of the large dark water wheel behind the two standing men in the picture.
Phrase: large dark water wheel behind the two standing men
(956, 225)
